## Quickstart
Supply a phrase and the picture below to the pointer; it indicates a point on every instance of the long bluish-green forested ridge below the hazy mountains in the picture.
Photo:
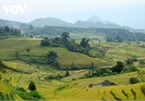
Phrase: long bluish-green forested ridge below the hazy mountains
(100, 32)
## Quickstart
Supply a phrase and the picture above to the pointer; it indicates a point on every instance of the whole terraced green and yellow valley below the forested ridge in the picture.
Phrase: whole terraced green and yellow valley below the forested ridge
(75, 86)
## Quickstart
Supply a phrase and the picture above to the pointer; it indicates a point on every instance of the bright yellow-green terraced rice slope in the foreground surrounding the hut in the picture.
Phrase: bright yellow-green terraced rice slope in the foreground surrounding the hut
(79, 88)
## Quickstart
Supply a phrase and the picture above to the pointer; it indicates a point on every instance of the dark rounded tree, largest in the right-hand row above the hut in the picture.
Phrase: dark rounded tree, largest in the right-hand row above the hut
(118, 67)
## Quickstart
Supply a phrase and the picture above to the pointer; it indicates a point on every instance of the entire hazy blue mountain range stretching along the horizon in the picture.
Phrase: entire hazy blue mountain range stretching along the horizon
(93, 21)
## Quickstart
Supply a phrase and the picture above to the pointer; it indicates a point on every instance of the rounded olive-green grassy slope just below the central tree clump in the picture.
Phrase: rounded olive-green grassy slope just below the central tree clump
(66, 57)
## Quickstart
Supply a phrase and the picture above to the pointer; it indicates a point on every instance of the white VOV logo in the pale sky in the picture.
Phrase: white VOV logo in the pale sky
(14, 9)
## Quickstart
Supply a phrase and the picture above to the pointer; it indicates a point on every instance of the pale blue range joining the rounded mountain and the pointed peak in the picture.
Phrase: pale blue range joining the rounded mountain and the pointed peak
(93, 21)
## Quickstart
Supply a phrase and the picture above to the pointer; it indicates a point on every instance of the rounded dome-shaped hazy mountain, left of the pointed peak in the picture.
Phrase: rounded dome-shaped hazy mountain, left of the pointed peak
(41, 22)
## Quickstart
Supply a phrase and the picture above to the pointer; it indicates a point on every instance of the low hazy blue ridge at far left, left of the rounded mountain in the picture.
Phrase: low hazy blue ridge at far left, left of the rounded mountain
(14, 24)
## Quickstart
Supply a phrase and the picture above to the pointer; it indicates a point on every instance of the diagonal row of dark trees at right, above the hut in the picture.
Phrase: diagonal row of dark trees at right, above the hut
(120, 67)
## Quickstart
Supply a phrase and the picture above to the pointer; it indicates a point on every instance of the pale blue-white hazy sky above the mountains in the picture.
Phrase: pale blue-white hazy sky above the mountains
(123, 12)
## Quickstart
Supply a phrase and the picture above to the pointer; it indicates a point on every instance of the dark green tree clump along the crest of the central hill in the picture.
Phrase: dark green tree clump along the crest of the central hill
(64, 41)
